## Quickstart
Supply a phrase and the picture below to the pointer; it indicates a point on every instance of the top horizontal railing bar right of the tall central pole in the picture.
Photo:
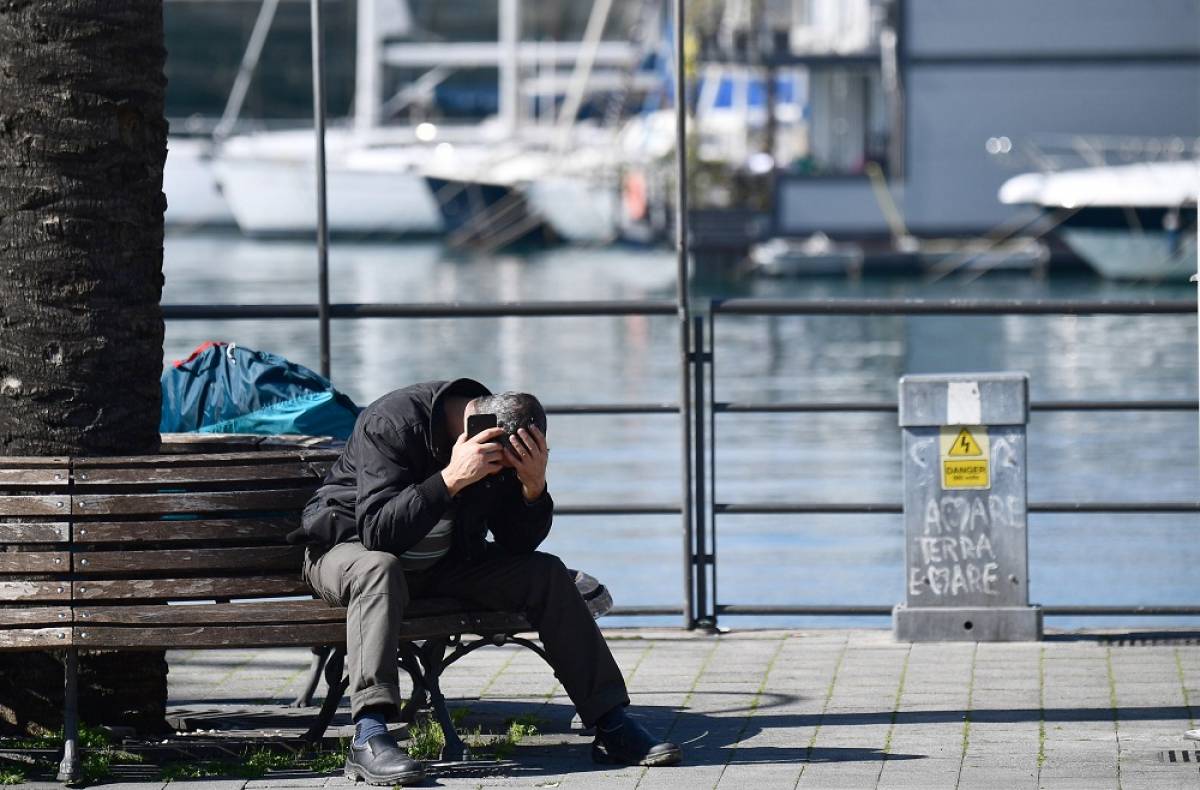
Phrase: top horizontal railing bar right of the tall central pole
(951, 307)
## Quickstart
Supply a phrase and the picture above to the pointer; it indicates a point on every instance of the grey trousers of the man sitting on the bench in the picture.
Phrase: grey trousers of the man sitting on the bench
(376, 592)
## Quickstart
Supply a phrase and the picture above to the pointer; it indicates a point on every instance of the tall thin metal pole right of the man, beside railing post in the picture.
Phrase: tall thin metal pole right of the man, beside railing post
(682, 283)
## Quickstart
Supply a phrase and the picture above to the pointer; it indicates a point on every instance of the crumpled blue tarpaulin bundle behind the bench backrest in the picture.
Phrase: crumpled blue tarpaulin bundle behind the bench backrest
(225, 388)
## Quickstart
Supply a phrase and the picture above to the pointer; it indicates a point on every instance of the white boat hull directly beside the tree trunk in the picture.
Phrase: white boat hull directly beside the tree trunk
(194, 197)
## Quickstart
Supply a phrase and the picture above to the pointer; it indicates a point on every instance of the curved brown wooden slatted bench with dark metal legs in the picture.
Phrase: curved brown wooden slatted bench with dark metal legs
(105, 553)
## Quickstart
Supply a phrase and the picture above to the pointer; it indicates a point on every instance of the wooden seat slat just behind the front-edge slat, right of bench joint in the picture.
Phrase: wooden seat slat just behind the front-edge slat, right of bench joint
(277, 612)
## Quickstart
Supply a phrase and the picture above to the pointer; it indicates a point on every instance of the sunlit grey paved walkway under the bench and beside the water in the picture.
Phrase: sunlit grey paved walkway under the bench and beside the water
(764, 710)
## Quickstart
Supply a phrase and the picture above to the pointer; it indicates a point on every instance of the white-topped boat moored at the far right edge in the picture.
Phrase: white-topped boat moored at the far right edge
(1129, 222)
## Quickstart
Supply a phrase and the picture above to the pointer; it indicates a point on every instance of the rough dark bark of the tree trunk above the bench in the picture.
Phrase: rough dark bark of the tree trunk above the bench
(82, 149)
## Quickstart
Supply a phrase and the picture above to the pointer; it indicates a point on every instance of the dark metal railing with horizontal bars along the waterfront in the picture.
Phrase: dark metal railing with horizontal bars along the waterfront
(700, 512)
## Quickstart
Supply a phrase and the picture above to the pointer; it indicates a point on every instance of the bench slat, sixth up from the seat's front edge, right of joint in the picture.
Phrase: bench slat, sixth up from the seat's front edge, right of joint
(190, 502)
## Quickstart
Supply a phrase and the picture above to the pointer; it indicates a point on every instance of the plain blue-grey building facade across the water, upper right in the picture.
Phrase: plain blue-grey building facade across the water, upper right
(1018, 70)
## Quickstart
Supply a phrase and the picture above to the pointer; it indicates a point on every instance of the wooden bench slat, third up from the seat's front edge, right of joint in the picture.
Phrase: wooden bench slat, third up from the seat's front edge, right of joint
(261, 586)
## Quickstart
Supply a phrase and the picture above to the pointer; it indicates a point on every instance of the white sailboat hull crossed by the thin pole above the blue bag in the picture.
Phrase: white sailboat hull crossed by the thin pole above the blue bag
(279, 197)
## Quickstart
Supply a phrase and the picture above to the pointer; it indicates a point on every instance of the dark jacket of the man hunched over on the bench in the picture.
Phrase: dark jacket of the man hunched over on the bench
(387, 489)
